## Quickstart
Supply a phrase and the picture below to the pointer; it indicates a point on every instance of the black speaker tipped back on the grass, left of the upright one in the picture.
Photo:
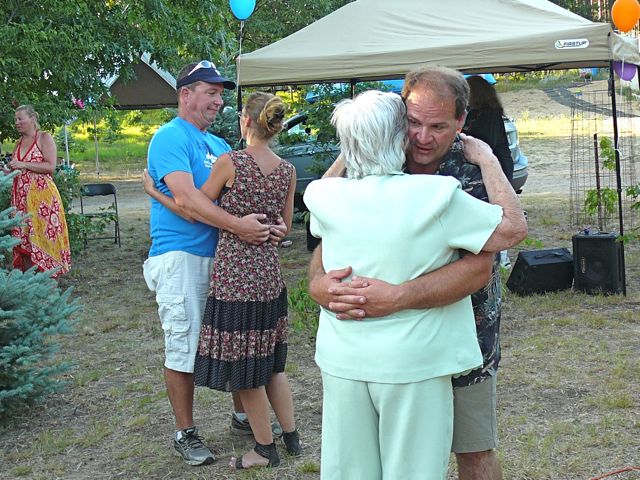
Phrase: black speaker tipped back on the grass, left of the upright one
(539, 271)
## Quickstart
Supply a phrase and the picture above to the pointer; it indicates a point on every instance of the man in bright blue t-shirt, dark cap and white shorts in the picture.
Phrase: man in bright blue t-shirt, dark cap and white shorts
(180, 157)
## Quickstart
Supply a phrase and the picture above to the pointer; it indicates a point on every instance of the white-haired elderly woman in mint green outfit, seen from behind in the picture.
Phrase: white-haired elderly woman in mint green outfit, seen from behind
(387, 394)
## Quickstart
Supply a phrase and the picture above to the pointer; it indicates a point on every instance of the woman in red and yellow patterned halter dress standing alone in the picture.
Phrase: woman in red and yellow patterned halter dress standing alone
(44, 240)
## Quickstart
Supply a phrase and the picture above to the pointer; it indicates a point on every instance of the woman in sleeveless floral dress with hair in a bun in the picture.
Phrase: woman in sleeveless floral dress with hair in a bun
(243, 340)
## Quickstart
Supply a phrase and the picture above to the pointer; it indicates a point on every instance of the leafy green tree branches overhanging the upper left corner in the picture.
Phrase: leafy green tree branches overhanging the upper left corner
(54, 51)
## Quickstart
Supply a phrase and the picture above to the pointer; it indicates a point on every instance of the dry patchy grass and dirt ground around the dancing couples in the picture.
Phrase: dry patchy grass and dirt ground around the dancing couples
(567, 398)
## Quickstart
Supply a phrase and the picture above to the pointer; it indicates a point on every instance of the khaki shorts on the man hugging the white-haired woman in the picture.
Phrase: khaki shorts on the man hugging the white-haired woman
(475, 427)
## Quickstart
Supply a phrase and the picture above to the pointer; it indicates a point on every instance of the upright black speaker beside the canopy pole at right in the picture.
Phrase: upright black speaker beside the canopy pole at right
(598, 263)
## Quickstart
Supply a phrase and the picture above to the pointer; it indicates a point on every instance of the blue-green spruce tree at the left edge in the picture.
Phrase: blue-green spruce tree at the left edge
(33, 312)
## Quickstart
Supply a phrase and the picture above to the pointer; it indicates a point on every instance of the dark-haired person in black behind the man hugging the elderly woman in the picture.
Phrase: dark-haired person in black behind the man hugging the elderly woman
(485, 122)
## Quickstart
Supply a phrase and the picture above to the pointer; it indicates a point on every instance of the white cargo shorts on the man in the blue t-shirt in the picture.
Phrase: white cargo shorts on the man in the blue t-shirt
(181, 283)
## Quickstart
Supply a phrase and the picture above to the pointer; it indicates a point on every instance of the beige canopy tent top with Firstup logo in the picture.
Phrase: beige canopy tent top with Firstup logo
(379, 39)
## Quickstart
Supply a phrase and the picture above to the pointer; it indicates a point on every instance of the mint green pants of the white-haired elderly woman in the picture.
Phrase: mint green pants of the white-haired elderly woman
(375, 431)
